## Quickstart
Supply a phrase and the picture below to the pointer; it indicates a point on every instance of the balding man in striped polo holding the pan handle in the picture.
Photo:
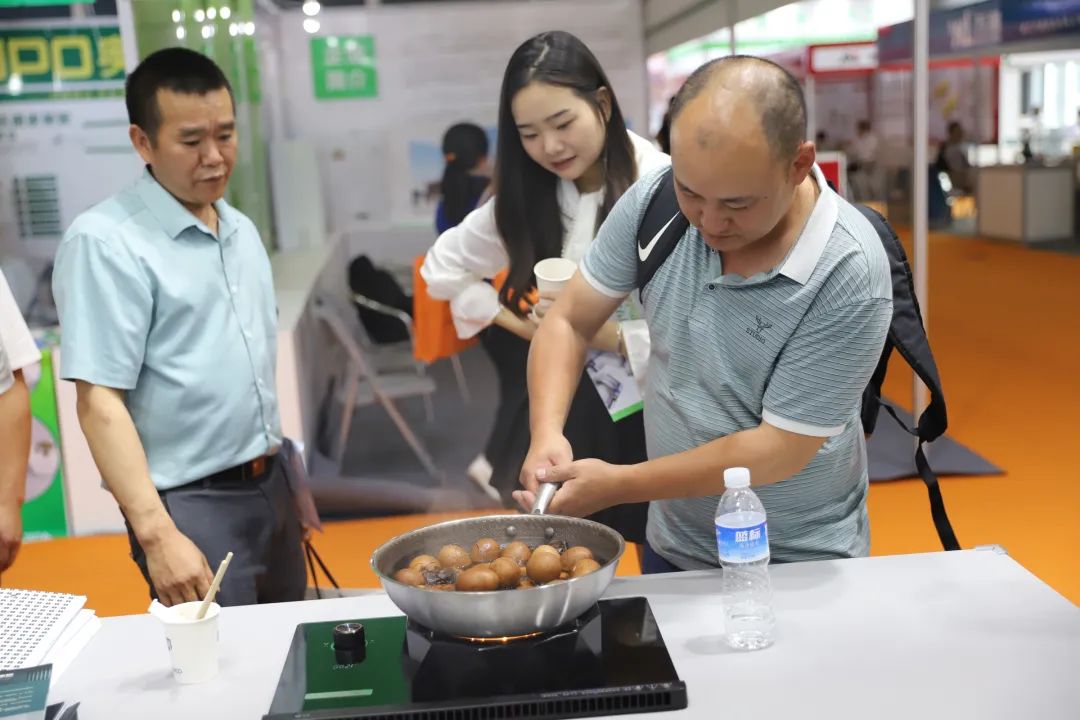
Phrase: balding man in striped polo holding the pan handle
(768, 320)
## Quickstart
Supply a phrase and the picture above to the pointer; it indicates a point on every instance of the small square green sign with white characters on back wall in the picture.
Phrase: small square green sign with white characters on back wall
(344, 67)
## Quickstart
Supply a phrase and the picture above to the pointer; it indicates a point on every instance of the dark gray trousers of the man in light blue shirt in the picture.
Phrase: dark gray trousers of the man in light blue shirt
(256, 522)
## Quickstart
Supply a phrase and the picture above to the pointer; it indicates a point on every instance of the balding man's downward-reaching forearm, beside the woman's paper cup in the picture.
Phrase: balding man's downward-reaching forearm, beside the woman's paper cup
(557, 357)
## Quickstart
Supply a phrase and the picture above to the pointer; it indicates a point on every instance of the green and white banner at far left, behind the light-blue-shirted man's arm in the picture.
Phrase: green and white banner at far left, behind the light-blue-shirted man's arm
(44, 514)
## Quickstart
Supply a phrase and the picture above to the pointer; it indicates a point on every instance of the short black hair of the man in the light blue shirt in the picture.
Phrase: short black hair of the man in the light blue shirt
(179, 70)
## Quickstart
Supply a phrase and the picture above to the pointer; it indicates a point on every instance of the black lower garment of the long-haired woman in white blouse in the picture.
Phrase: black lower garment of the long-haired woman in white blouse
(589, 429)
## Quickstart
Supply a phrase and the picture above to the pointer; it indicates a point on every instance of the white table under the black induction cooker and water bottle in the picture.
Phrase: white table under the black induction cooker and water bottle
(956, 635)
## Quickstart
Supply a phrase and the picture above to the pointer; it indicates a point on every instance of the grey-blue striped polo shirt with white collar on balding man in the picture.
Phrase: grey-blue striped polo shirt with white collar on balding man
(793, 347)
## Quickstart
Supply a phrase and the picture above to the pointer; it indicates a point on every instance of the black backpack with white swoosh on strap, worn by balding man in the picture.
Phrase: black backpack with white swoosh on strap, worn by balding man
(664, 226)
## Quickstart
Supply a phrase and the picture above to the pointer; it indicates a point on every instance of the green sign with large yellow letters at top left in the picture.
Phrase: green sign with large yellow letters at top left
(61, 63)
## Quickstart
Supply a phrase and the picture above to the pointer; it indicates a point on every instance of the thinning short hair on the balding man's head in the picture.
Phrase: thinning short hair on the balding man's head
(779, 100)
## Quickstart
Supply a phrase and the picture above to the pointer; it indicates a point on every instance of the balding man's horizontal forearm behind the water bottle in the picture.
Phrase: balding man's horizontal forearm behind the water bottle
(772, 456)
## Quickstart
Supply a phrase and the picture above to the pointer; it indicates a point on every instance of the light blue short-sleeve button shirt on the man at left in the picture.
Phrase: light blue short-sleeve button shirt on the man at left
(154, 304)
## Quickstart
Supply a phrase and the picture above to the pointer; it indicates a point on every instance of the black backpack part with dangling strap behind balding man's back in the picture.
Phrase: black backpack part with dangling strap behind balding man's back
(909, 337)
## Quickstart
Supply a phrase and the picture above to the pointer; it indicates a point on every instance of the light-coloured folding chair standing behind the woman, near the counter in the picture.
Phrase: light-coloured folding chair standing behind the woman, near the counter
(367, 384)
